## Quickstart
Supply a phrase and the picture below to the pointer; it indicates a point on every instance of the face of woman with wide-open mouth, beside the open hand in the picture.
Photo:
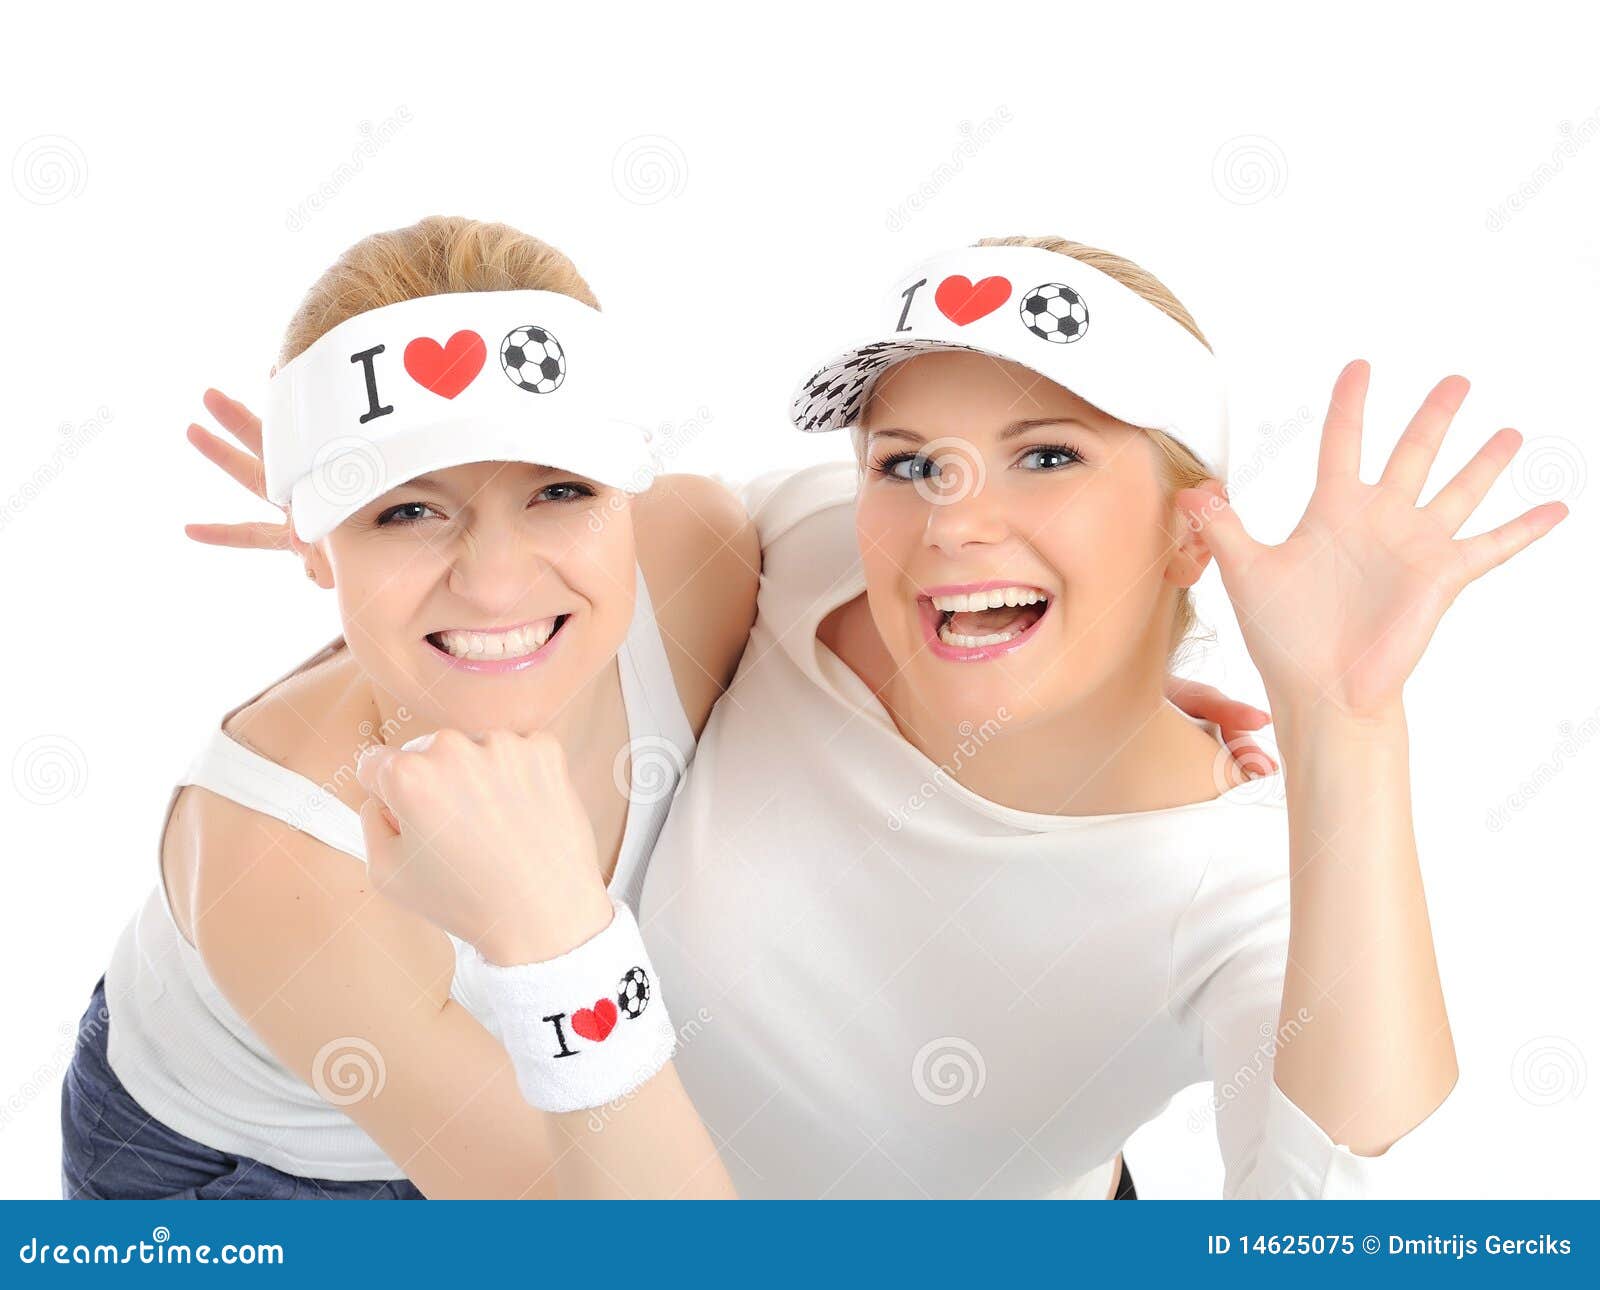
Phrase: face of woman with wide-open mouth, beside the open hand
(1018, 545)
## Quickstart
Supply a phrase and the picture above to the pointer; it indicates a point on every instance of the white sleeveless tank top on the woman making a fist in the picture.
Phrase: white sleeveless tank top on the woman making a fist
(193, 1062)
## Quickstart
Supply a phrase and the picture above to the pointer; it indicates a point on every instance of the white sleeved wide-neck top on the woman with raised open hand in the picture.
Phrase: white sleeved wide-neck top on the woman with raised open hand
(890, 987)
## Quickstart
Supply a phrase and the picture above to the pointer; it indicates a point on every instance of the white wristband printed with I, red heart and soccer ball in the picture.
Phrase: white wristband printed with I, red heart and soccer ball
(588, 1027)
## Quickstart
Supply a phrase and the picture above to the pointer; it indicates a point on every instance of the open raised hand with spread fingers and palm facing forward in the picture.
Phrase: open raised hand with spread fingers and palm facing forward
(1340, 612)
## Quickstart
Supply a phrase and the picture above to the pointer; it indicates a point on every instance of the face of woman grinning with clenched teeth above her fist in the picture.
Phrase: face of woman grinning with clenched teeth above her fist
(486, 591)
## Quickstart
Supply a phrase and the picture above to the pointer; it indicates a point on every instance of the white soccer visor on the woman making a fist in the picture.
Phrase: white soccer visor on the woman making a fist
(442, 382)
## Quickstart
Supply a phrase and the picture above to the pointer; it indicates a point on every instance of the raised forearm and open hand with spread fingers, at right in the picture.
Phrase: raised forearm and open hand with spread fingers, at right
(1337, 619)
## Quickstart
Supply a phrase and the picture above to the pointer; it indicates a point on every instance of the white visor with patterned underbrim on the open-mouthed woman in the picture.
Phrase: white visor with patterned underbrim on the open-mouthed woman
(1057, 316)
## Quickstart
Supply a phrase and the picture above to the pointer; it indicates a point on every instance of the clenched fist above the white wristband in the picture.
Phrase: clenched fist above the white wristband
(486, 838)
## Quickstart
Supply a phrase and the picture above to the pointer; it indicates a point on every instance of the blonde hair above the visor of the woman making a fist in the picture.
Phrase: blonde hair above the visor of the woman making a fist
(434, 257)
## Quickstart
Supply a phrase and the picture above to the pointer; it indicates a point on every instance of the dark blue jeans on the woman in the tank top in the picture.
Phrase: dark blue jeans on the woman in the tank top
(113, 1150)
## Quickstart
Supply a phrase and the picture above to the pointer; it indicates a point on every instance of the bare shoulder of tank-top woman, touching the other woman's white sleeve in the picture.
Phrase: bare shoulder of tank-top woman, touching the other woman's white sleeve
(703, 564)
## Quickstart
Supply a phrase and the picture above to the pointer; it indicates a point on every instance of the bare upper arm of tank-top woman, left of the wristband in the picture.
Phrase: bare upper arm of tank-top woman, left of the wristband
(353, 995)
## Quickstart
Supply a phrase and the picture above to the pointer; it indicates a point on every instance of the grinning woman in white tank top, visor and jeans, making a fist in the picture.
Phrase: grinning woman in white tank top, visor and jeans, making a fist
(481, 513)
